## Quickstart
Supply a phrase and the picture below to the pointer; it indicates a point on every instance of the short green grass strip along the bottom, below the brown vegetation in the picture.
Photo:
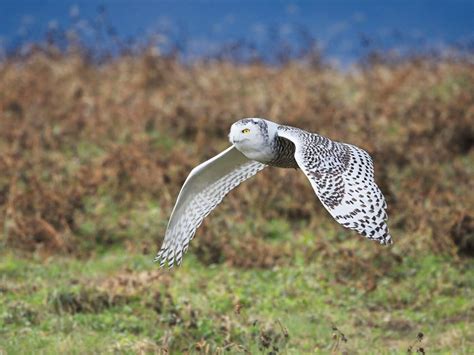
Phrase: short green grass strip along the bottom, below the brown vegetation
(121, 302)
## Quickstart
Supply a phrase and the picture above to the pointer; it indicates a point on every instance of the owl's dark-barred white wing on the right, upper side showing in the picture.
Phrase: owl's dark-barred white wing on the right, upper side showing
(342, 176)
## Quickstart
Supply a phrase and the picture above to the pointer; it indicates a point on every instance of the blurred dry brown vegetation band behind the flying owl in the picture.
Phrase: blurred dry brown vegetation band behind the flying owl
(132, 128)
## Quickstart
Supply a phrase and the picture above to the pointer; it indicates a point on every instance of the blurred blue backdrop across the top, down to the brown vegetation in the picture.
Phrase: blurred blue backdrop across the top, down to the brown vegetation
(342, 30)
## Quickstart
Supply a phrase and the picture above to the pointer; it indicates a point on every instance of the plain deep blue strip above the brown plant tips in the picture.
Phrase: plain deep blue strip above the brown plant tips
(337, 25)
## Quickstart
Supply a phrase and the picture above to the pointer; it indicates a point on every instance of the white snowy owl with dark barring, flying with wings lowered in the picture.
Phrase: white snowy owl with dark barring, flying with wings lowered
(341, 175)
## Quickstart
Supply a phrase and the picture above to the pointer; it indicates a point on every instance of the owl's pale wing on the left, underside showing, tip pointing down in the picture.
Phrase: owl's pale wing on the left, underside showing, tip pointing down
(204, 189)
